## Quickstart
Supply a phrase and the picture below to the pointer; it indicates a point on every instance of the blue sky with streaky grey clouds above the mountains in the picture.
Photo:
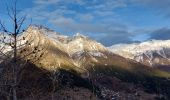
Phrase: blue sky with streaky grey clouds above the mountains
(107, 21)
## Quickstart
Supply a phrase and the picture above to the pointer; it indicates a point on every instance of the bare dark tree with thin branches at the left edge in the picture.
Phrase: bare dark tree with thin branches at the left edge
(10, 44)
